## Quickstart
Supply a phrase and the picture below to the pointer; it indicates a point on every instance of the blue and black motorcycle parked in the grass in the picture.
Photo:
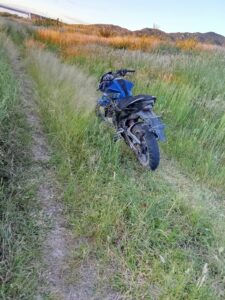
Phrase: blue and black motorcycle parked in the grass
(132, 116)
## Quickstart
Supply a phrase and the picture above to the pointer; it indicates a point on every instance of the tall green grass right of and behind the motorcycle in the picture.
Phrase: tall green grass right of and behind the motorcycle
(190, 91)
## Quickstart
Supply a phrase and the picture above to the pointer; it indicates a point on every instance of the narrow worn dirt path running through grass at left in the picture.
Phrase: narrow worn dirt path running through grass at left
(60, 279)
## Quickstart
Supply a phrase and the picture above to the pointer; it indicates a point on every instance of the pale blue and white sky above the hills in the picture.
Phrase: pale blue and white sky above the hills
(169, 16)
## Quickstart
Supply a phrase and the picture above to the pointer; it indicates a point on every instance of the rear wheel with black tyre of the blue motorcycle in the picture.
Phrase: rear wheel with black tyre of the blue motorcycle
(147, 151)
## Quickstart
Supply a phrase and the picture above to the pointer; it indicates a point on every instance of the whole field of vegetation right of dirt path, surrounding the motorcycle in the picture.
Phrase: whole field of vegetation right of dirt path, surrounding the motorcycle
(154, 240)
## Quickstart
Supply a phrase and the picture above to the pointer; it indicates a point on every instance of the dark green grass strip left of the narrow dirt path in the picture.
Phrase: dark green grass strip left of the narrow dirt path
(19, 228)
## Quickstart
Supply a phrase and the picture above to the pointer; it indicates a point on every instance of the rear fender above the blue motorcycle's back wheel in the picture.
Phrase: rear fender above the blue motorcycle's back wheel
(154, 123)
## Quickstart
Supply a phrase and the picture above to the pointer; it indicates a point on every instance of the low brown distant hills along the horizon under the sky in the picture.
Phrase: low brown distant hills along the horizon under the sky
(208, 37)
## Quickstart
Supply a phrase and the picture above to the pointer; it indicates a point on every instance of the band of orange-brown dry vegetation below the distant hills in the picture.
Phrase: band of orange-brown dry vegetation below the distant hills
(70, 37)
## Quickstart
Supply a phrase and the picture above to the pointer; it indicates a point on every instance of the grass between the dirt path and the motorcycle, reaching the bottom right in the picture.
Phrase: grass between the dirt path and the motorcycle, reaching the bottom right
(158, 245)
